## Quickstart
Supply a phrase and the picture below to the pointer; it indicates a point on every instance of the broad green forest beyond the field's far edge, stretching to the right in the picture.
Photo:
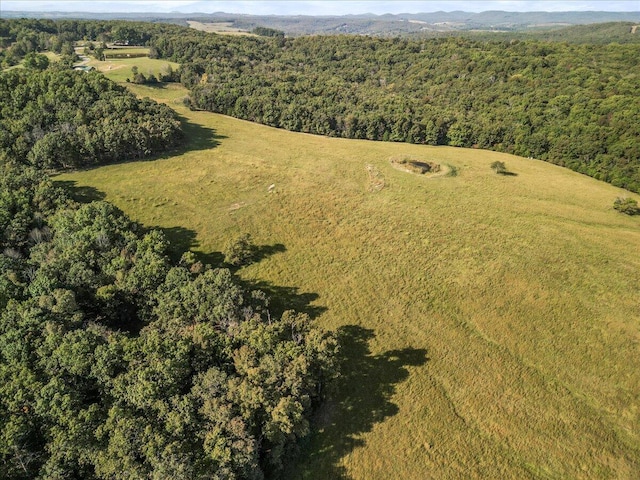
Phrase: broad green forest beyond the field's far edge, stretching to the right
(573, 105)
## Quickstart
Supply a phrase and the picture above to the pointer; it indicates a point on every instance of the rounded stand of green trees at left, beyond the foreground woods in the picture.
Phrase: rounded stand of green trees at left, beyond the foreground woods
(59, 118)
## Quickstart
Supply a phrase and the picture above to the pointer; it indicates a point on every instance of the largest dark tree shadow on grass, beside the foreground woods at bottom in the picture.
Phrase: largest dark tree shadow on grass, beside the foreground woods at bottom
(361, 398)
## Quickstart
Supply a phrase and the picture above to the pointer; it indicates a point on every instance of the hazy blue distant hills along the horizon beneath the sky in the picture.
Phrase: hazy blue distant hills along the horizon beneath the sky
(369, 24)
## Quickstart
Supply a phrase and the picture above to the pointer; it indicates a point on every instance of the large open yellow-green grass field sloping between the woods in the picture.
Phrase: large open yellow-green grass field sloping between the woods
(490, 324)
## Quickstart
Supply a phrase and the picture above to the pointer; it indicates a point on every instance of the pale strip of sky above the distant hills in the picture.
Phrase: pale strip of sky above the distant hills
(317, 7)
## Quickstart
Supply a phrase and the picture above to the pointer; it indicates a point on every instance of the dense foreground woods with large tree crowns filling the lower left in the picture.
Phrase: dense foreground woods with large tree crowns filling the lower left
(116, 364)
